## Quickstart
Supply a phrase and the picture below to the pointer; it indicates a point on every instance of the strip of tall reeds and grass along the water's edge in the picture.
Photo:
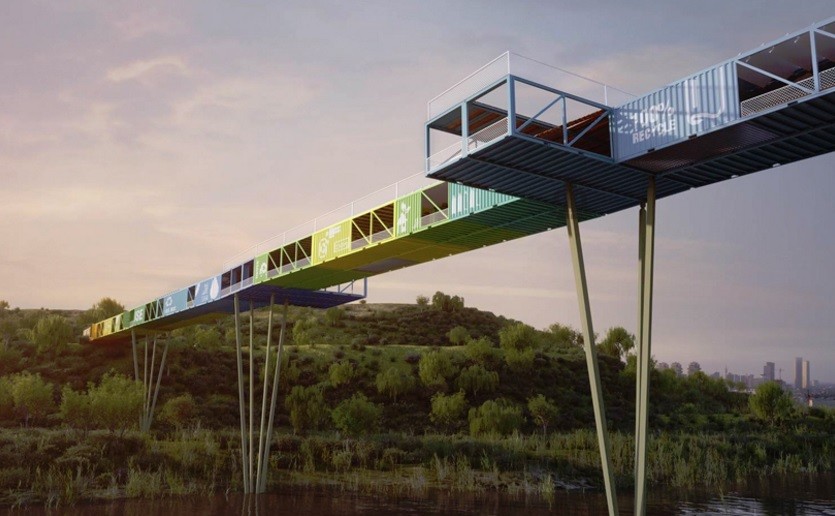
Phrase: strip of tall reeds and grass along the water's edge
(58, 467)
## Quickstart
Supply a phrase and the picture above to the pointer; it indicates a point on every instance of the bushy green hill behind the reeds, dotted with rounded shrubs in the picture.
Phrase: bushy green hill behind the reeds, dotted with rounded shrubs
(435, 366)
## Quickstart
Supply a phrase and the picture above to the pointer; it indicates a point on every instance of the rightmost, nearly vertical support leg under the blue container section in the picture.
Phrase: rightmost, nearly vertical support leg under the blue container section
(644, 351)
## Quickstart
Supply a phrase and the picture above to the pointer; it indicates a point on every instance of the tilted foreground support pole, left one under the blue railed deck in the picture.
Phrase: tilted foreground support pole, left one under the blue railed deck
(573, 227)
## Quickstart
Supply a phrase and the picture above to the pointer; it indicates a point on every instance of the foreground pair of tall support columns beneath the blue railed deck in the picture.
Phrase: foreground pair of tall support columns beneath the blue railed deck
(646, 255)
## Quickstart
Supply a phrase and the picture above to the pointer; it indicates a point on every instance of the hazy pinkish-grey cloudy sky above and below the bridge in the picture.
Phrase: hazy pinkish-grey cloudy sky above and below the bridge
(142, 146)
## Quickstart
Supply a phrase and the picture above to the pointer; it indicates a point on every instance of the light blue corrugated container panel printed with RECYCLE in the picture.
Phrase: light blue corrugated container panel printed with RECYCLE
(689, 107)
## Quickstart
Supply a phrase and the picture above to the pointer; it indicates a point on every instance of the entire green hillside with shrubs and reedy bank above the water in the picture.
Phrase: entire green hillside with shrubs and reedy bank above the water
(392, 399)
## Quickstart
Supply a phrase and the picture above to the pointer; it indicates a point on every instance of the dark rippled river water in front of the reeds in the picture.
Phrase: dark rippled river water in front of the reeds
(799, 495)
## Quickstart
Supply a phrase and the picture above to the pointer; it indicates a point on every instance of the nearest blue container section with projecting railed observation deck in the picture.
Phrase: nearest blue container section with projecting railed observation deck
(523, 128)
